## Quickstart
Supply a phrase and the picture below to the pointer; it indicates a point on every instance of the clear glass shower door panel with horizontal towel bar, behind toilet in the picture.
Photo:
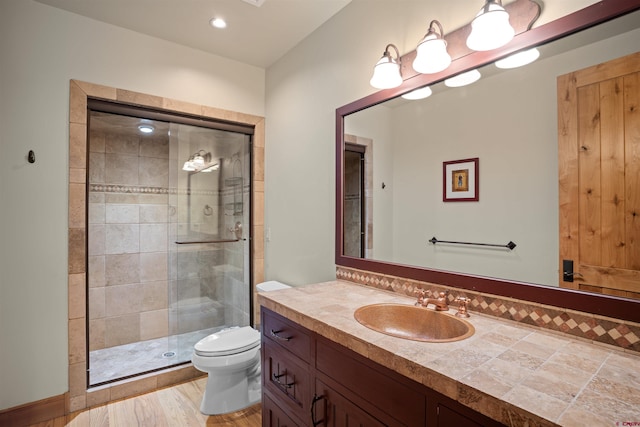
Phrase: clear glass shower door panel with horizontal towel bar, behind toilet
(209, 262)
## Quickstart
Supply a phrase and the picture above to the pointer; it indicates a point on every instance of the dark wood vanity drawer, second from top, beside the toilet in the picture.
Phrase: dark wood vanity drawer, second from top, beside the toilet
(287, 378)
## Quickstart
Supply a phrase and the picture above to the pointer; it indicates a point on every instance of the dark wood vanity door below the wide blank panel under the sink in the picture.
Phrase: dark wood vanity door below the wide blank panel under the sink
(331, 409)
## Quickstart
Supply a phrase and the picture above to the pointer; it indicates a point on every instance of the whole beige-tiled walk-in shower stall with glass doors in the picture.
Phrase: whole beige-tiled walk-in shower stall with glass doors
(168, 240)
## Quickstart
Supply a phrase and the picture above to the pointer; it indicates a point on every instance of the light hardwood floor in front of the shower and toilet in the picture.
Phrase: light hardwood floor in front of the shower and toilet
(174, 406)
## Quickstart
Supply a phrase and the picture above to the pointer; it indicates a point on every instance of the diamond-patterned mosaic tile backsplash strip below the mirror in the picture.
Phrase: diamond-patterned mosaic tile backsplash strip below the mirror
(615, 332)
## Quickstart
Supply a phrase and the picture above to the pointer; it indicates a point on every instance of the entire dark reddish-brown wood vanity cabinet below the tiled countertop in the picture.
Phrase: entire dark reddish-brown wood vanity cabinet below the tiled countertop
(309, 380)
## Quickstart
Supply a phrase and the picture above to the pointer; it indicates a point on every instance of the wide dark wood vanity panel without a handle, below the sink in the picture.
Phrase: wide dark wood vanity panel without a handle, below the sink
(371, 389)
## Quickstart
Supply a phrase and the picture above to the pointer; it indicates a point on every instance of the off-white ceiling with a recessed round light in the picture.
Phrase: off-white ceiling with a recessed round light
(255, 35)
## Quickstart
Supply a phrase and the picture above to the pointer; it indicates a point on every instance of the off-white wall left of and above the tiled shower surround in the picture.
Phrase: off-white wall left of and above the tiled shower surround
(41, 49)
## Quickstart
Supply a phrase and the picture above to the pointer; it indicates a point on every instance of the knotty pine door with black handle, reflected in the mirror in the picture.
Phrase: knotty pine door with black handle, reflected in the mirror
(599, 176)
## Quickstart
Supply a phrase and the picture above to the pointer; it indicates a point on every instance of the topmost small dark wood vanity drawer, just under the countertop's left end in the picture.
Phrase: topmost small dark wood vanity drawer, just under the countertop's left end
(287, 334)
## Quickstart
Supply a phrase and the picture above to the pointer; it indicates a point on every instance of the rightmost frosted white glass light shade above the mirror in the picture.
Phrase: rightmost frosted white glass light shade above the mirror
(490, 29)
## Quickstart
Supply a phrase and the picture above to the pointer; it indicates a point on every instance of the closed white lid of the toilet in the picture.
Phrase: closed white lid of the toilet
(228, 341)
